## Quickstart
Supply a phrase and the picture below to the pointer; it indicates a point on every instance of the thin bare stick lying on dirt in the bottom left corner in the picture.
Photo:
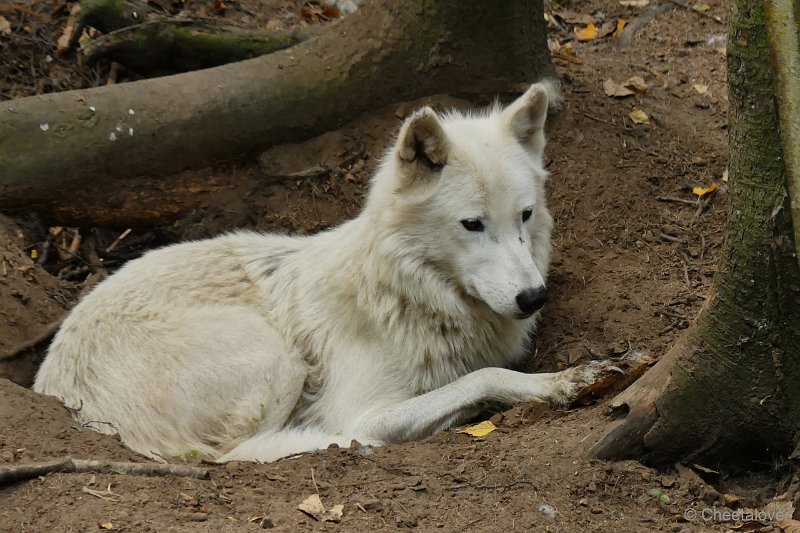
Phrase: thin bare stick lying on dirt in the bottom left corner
(13, 473)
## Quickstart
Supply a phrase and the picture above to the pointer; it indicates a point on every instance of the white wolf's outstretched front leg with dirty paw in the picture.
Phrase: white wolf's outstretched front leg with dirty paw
(439, 409)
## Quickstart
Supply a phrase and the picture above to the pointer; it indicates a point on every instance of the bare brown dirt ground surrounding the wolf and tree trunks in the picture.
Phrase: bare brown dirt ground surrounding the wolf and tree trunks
(629, 272)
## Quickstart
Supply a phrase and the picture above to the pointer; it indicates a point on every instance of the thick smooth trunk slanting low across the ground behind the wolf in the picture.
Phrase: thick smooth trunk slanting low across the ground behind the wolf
(387, 51)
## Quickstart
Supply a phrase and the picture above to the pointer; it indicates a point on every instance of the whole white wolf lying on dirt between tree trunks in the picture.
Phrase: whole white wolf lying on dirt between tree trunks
(388, 328)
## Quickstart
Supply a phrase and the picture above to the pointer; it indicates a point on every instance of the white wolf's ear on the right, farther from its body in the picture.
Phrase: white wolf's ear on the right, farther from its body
(525, 118)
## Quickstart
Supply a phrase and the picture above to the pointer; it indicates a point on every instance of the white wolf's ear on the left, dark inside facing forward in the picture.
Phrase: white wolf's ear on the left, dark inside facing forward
(421, 146)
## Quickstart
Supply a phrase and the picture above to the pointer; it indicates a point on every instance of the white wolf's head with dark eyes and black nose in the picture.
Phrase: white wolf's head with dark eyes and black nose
(466, 193)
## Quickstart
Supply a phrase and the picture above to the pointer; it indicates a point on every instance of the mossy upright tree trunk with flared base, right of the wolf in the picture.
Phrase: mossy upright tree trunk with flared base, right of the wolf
(729, 390)
